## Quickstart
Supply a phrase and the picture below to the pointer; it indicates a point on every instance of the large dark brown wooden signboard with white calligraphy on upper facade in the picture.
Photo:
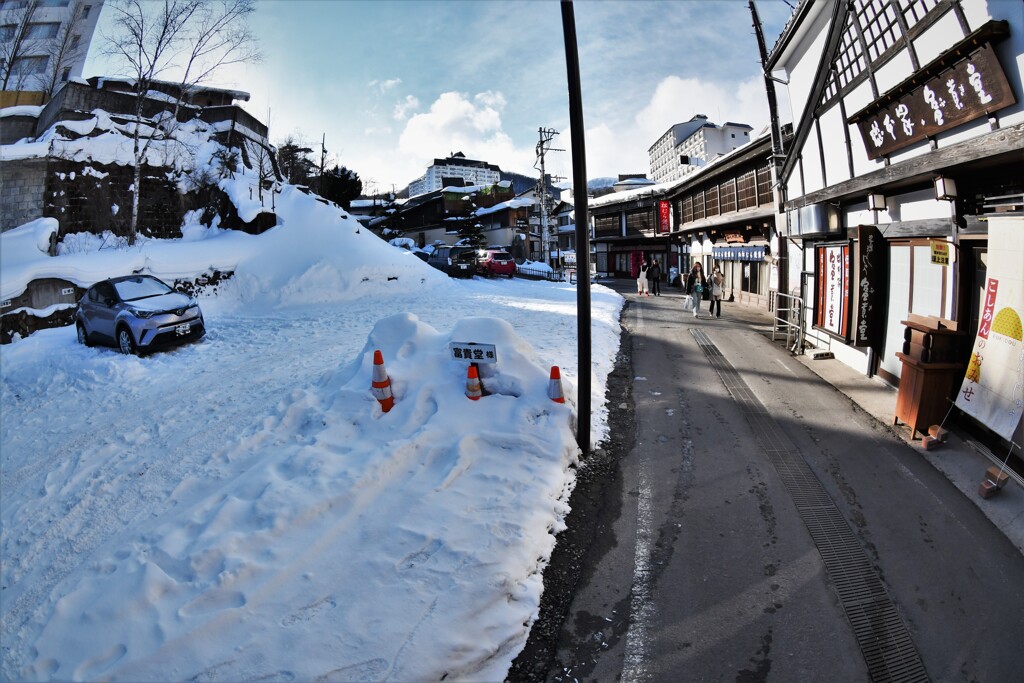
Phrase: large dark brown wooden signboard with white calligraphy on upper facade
(969, 90)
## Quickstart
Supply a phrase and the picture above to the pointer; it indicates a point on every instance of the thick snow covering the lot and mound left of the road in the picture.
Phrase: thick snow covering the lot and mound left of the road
(242, 508)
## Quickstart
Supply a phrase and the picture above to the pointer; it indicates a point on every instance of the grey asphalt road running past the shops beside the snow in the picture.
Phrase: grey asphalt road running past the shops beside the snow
(729, 533)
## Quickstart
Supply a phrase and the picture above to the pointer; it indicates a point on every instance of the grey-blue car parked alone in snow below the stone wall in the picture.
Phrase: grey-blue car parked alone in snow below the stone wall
(138, 315)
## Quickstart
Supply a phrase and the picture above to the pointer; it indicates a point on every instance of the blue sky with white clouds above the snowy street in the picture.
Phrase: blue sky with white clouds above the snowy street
(396, 83)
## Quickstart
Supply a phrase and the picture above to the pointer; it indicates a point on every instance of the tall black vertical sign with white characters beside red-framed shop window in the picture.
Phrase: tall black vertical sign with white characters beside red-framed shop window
(873, 287)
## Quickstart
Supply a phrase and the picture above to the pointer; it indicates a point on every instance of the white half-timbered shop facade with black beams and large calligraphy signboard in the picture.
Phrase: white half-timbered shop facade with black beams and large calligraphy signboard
(909, 130)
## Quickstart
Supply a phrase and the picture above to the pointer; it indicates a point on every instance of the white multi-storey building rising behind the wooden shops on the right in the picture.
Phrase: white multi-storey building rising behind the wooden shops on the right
(687, 147)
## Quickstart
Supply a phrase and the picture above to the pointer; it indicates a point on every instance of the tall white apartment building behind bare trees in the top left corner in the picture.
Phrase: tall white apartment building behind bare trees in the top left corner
(44, 44)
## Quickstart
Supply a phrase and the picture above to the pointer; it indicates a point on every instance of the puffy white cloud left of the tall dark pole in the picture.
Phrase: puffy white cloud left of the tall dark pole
(456, 123)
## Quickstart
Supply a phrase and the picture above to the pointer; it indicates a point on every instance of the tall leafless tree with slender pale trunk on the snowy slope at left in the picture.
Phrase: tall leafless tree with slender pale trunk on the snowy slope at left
(191, 39)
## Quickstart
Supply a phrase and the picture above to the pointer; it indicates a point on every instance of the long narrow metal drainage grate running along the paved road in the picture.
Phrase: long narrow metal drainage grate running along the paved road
(881, 633)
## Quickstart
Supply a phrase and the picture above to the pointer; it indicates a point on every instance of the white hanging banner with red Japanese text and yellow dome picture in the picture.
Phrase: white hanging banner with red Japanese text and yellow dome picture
(994, 390)
